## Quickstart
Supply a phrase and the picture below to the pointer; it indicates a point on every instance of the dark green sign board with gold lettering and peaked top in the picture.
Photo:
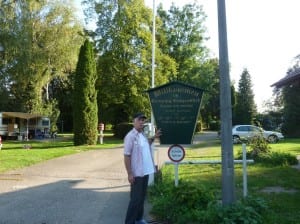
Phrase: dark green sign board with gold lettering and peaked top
(176, 108)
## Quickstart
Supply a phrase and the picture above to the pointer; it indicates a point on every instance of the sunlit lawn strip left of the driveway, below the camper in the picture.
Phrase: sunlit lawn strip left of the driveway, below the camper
(14, 154)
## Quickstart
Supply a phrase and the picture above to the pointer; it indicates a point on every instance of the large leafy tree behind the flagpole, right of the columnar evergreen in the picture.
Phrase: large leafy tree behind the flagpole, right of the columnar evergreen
(124, 41)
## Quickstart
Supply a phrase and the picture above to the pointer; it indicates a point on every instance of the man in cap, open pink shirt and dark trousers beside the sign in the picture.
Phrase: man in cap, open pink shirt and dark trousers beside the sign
(139, 164)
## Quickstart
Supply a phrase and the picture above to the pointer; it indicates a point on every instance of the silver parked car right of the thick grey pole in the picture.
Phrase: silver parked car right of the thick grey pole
(245, 132)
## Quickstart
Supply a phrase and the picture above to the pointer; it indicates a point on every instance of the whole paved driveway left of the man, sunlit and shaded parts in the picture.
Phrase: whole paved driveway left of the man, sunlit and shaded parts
(85, 188)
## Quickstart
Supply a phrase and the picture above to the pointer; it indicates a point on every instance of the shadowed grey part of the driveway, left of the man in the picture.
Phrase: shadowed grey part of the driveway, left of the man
(63, 202)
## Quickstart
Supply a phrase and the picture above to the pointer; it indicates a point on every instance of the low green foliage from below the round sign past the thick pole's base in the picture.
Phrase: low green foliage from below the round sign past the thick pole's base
(191, 203)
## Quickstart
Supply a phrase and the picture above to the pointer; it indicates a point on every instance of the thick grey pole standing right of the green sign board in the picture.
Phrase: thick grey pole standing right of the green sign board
(228, 191)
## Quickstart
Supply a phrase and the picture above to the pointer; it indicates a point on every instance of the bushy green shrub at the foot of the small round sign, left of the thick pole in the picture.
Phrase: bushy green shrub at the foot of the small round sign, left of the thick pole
(181, 203)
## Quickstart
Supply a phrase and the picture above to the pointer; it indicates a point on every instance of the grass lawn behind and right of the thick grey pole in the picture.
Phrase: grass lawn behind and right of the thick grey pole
(278, 185)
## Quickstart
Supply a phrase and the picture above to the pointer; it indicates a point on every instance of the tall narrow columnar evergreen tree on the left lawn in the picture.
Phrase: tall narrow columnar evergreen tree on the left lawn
(85, 108)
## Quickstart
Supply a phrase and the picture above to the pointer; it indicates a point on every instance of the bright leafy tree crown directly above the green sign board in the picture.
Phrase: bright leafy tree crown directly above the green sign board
(182, 37)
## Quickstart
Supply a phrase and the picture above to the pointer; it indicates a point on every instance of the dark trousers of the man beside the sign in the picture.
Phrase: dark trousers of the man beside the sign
(138, 192)
